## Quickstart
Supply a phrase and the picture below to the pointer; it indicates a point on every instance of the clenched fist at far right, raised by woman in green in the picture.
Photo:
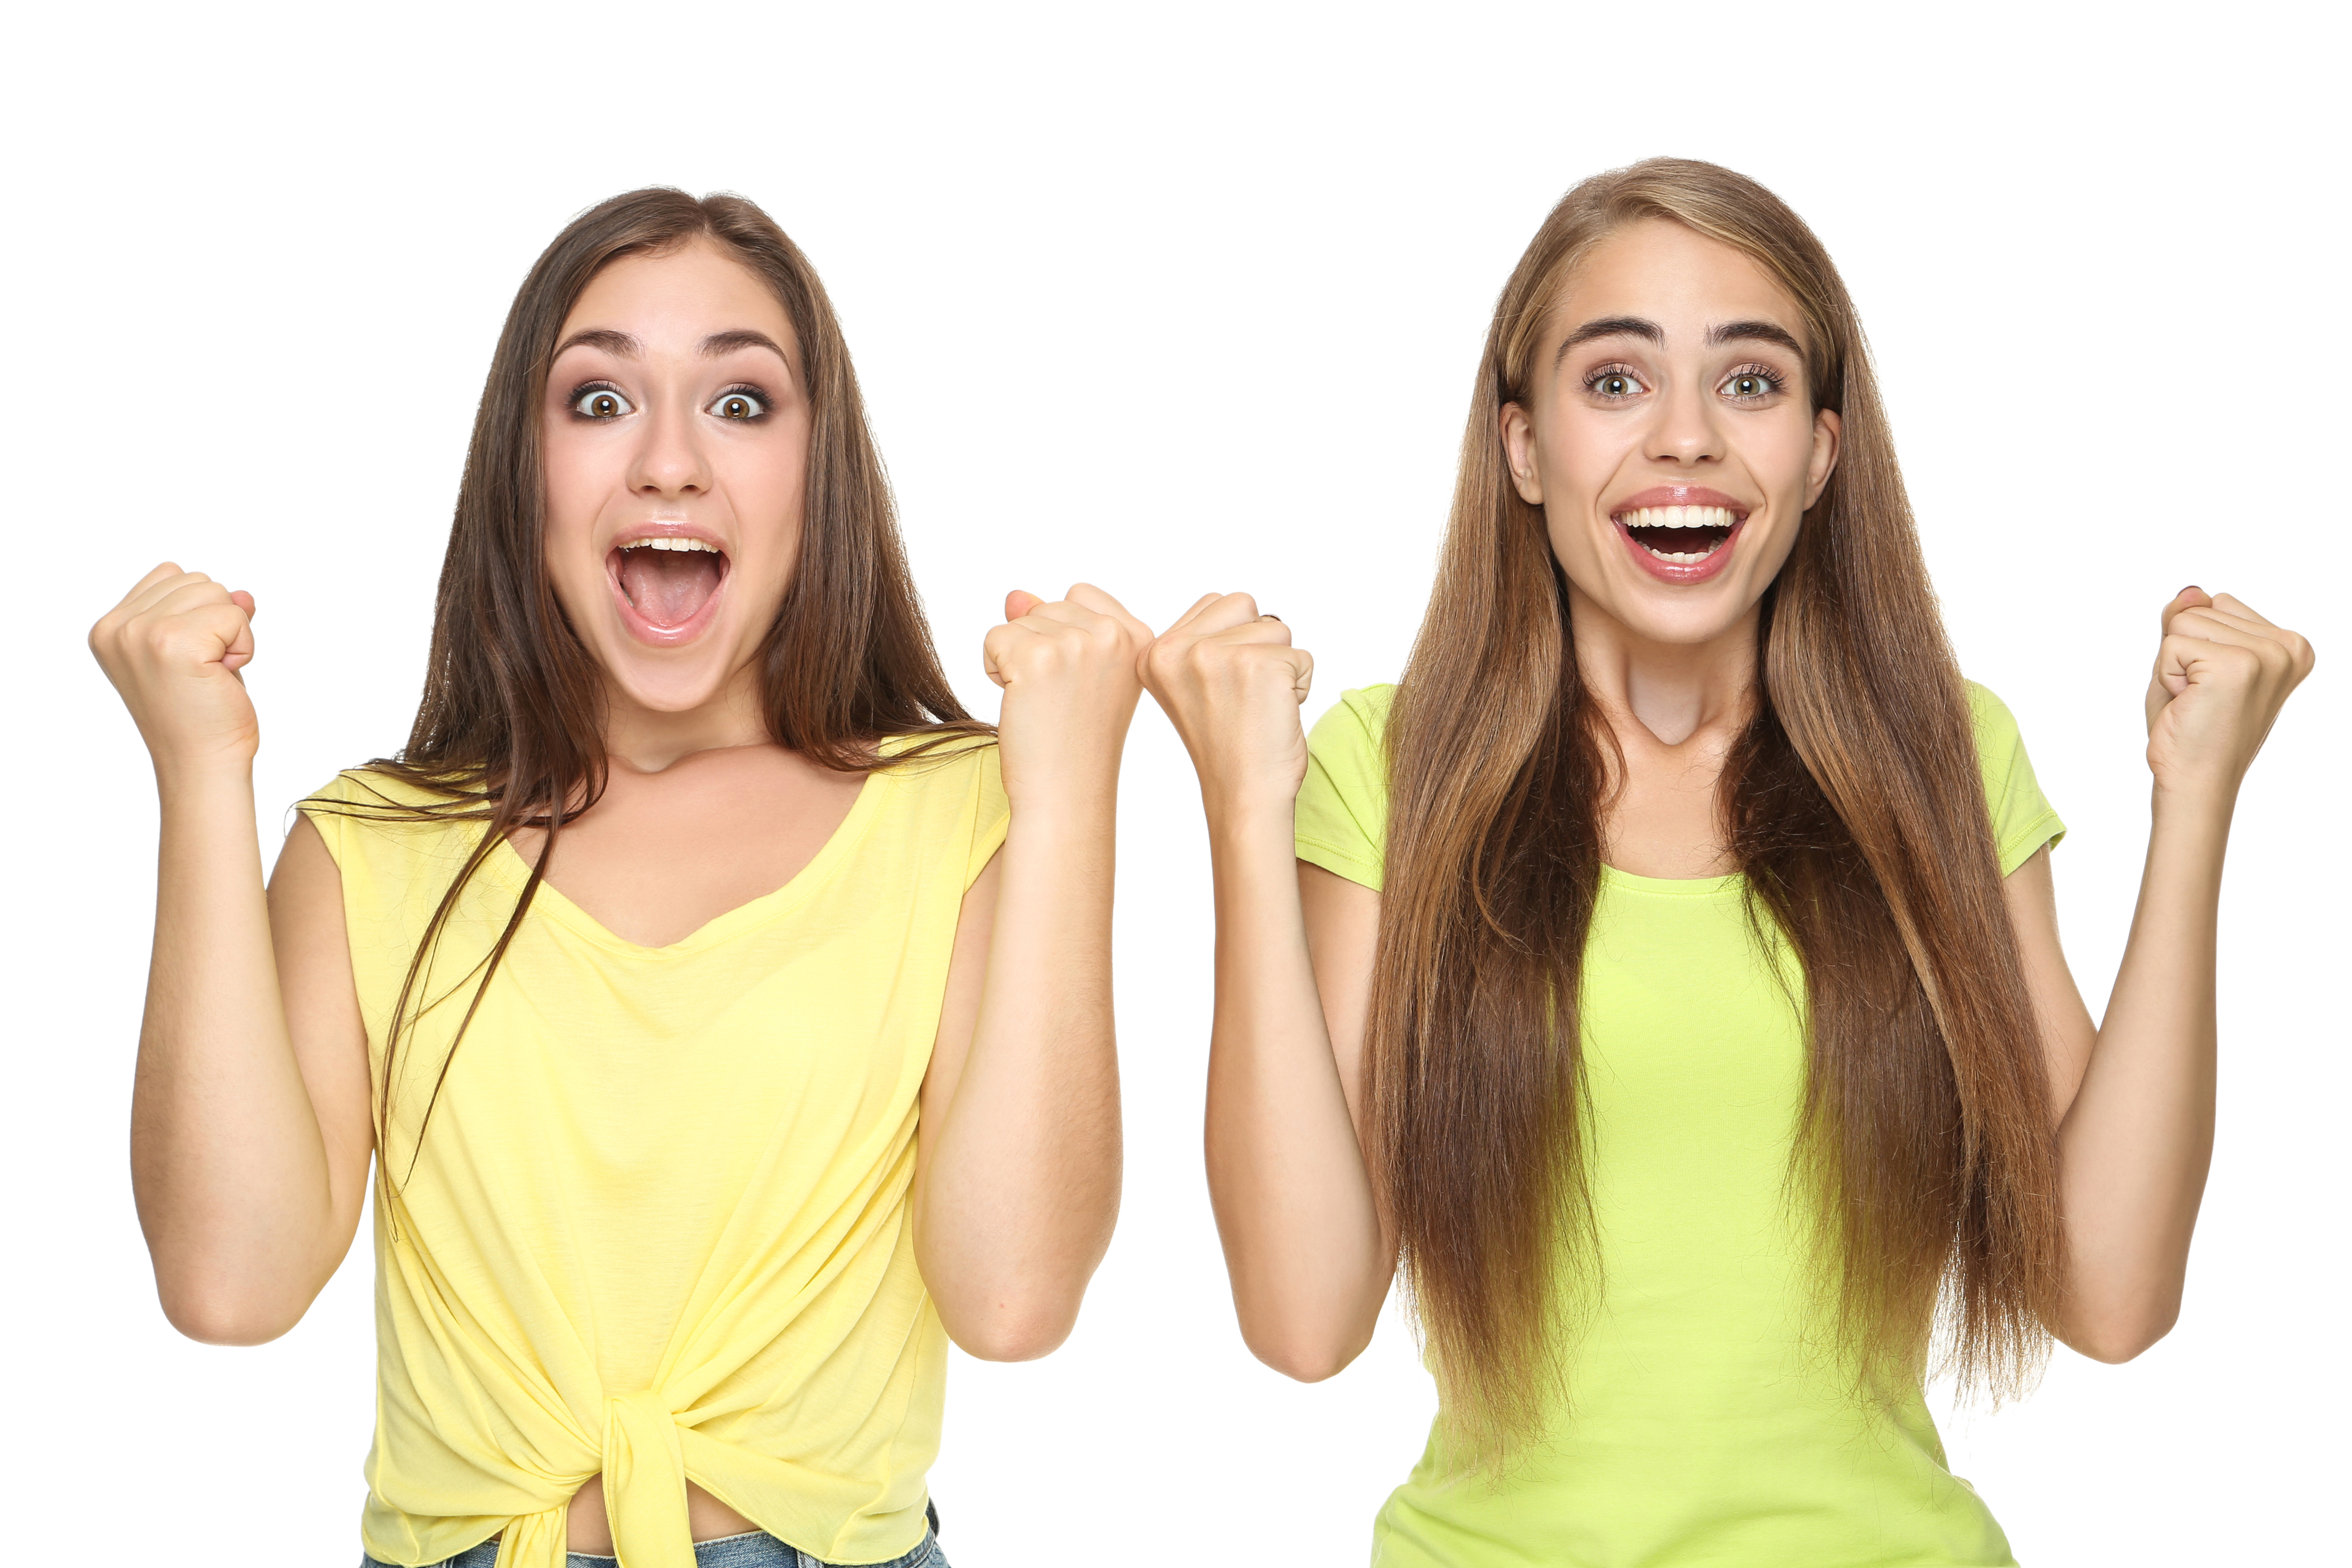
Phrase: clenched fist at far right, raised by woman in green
(2219, 685)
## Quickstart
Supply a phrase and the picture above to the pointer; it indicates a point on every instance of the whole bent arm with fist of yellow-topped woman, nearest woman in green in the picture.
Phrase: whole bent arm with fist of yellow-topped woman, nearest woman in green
(1017, 1172)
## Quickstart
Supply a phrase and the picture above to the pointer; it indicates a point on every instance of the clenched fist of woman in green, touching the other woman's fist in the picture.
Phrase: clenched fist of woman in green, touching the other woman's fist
(1231, 683)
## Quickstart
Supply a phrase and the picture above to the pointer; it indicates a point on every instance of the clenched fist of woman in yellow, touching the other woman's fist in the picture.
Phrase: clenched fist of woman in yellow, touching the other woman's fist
(1069, 674)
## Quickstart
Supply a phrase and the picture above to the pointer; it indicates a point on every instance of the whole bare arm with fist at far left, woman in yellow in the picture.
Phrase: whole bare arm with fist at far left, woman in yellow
(250, 1132)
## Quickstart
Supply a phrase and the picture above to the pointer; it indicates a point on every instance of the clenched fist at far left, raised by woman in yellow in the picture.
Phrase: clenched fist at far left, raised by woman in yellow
(173, 648)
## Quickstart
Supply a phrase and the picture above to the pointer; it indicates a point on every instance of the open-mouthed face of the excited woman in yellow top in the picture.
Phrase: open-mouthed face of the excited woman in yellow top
(676, 453)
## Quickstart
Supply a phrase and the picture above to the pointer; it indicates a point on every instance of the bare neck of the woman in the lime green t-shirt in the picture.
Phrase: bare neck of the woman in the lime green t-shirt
(1671, 692)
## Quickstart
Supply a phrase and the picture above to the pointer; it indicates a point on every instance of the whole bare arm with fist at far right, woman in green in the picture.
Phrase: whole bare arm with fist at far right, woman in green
(2137, 1092)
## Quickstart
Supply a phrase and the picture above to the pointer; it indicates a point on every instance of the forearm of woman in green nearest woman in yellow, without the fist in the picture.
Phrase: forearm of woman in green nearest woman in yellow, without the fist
(1288, 1179)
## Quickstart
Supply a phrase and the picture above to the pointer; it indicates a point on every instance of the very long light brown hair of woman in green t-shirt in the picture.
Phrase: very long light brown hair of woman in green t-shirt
(1855, 808)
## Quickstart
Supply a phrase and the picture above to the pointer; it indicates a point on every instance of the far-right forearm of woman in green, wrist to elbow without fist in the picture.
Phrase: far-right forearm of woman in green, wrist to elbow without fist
(2139, 1137)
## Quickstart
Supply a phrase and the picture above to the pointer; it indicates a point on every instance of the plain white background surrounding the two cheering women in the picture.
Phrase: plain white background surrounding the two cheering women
(1165, 297)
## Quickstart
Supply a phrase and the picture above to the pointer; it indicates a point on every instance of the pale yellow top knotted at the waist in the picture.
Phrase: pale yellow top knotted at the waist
(660, 1224)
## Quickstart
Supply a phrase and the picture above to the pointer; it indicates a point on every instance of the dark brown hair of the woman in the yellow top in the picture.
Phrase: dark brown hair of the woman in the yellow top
(509, 730)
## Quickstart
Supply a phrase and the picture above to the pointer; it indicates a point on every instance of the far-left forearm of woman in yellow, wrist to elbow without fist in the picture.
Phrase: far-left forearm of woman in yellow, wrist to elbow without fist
(227, 1155)
